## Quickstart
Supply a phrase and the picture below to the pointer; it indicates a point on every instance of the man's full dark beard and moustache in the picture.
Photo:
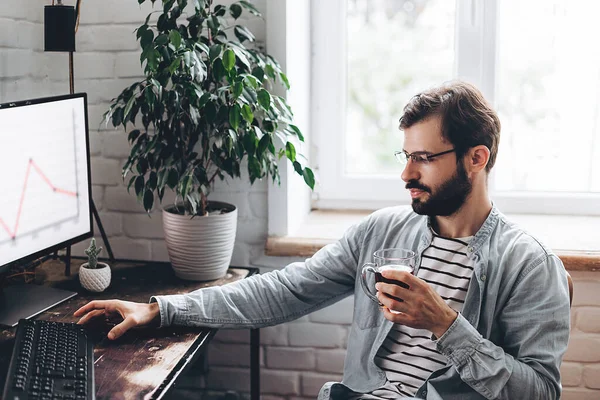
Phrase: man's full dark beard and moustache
(447, 199)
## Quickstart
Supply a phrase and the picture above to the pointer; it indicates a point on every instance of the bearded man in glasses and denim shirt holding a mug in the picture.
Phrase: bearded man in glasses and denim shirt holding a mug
(486, 313)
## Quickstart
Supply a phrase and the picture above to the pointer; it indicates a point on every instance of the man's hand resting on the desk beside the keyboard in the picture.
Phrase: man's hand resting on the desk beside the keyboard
(133, 314)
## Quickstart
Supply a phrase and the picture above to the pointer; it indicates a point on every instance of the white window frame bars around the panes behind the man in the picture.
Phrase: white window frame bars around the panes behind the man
(475, 62)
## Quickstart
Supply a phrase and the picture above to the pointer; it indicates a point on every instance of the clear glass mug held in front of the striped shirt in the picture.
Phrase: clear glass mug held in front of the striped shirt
(387, 259)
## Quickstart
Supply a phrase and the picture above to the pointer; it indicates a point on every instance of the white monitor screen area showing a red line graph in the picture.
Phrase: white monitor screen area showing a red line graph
(44, 196)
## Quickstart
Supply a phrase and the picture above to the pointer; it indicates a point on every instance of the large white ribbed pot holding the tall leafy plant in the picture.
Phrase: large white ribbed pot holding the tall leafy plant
(200, 248)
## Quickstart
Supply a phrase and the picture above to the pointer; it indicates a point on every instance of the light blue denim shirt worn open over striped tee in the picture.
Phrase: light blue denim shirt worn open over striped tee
(507, 343)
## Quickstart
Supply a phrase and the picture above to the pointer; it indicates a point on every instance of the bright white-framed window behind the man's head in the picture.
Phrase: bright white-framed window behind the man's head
(371, 56)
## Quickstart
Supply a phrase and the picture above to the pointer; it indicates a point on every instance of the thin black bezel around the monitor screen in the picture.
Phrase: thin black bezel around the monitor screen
(47, 251)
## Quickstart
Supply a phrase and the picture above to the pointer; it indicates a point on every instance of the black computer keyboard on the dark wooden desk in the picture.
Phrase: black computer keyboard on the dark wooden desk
(50, 360)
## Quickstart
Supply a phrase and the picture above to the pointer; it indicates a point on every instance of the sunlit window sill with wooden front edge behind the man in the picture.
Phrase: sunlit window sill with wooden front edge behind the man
(573, 238)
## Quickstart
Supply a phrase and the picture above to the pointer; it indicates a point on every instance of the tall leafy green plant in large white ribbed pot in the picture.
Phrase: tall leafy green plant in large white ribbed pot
(205, 110)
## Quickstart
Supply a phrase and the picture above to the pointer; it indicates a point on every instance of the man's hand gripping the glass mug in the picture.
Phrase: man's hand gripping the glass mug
(422, 307)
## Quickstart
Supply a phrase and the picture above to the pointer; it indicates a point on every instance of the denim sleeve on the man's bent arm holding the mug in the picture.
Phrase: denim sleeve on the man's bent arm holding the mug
(535, 322)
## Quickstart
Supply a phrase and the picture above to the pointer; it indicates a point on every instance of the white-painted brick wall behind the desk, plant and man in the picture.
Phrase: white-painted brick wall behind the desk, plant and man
(297, 357)
